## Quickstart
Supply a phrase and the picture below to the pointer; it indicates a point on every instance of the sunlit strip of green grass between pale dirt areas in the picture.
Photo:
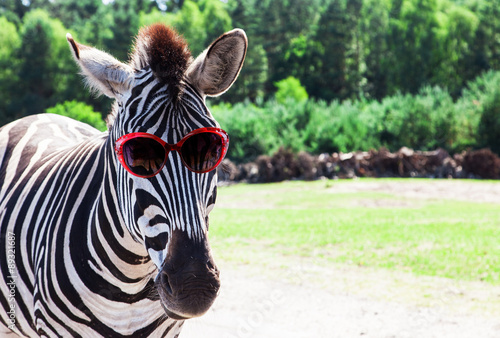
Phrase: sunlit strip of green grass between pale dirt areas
(436, 237)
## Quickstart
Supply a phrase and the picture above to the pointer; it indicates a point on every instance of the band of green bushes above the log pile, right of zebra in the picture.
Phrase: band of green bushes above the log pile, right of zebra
(426, 121)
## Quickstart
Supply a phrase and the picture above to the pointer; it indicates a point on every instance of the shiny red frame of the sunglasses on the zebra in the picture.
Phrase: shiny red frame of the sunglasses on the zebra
(172, 147)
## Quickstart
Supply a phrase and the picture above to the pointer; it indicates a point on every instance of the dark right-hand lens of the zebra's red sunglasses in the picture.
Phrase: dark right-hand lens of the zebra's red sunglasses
(202, 152)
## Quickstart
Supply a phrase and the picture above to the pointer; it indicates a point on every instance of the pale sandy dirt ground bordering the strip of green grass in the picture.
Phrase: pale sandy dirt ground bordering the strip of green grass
(306, 298)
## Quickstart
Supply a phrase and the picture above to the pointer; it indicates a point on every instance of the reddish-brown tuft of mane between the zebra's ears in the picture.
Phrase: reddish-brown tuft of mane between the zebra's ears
(165, 51)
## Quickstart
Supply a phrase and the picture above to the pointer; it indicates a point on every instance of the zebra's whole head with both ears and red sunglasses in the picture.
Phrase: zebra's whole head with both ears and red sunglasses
(165, 202)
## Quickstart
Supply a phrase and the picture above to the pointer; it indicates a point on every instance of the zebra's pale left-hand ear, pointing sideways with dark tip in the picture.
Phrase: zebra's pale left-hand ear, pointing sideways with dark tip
(103, 73)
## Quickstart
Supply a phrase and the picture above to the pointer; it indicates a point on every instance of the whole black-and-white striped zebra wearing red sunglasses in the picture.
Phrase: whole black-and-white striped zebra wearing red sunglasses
(105, 233)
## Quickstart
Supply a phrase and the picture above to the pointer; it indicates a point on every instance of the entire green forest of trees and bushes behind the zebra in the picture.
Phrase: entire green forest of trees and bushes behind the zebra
(320, 75)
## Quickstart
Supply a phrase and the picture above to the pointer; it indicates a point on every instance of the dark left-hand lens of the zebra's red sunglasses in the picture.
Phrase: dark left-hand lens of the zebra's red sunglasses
(143, 156)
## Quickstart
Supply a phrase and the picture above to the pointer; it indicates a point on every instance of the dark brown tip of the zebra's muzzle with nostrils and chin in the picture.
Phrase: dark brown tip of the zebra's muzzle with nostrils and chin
(188, 293)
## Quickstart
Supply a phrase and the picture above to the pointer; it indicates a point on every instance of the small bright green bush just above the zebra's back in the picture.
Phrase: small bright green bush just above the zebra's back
(79, 111)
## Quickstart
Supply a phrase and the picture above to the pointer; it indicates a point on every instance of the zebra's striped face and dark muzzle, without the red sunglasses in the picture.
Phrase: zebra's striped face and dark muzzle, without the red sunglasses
(169, 211)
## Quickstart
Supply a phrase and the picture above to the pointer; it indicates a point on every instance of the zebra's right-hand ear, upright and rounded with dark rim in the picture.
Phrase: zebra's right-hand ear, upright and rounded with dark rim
(216, 69)
